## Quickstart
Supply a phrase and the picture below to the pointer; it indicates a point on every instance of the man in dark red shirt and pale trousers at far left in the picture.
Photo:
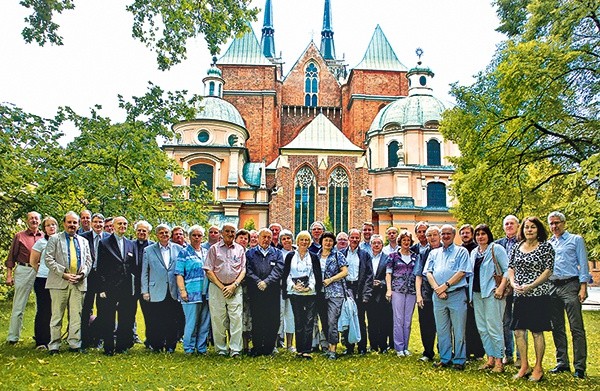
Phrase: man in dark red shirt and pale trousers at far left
(20, 273)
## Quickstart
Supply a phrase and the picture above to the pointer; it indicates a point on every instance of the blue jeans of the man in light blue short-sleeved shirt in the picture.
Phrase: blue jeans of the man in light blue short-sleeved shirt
(450, 322)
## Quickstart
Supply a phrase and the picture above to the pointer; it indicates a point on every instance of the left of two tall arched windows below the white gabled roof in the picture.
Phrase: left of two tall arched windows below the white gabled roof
(305, 186)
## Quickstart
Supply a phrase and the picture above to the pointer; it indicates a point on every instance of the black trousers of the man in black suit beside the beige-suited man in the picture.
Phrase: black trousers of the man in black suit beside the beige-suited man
(122, 305)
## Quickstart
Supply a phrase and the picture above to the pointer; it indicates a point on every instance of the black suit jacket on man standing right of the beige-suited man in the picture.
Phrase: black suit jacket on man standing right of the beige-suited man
(115, 271)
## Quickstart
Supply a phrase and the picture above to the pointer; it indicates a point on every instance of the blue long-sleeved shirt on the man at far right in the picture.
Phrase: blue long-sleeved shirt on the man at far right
(570, 258)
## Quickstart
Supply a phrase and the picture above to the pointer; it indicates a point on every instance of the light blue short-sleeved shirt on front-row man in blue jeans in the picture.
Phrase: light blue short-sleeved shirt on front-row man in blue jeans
(445, 262)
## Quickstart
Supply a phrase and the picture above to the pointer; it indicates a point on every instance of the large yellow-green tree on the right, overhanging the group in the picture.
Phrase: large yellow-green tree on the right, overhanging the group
(529, 127)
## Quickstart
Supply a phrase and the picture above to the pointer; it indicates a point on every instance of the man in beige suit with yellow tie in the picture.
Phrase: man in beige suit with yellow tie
(69, 261)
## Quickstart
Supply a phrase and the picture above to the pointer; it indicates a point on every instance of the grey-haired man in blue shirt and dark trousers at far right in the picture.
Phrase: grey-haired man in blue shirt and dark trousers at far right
(569, 280)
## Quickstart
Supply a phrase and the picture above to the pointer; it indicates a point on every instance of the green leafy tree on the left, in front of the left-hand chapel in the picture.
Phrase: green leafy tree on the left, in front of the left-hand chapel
(119, 169)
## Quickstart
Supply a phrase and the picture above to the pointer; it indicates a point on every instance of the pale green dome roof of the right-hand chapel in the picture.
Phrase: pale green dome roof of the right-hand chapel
(414, 110)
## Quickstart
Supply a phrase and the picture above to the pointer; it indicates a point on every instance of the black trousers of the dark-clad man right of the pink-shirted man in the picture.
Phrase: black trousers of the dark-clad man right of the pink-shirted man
(265, 308)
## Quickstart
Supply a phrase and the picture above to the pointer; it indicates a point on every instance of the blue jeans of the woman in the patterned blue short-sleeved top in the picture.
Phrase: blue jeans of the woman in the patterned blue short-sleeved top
(197, 327)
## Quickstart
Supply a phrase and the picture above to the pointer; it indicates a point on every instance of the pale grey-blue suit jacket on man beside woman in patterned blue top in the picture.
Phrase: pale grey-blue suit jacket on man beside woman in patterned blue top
(157, 279)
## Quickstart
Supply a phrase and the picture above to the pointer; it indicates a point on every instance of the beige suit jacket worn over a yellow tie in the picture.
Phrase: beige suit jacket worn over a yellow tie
(57, 260)
